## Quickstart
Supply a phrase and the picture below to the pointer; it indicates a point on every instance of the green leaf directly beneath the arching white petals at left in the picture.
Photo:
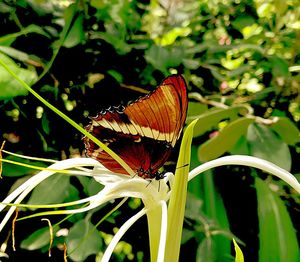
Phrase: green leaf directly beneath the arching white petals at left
(53, 190)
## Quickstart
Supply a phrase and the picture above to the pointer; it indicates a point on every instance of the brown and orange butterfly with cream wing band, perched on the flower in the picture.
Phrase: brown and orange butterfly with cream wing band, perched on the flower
(144, 132)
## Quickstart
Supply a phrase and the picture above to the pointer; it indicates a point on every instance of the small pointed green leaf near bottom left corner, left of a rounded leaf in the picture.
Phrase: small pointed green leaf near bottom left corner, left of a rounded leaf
(40, 238)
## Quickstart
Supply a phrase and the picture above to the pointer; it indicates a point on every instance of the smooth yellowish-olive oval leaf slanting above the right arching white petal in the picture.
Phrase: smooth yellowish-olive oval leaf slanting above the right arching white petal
(225, 140)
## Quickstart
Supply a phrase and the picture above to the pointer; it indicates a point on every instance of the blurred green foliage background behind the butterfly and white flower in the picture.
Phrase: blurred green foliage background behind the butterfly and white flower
(241, 63)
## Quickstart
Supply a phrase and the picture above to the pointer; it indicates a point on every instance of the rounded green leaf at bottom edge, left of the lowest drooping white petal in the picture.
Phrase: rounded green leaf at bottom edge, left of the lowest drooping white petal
(83, 240)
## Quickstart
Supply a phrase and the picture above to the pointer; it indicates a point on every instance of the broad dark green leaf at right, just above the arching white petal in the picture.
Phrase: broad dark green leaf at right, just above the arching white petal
(265, 144)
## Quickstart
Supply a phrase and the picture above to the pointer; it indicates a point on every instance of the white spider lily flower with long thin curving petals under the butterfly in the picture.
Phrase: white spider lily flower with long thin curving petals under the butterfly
(154, 194)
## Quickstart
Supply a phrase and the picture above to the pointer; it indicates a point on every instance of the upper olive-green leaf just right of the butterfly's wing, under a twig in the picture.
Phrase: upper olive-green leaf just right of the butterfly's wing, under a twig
(211, 118)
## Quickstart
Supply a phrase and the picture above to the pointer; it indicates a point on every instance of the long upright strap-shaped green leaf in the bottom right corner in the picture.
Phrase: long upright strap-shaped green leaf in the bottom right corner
(277, 236)
